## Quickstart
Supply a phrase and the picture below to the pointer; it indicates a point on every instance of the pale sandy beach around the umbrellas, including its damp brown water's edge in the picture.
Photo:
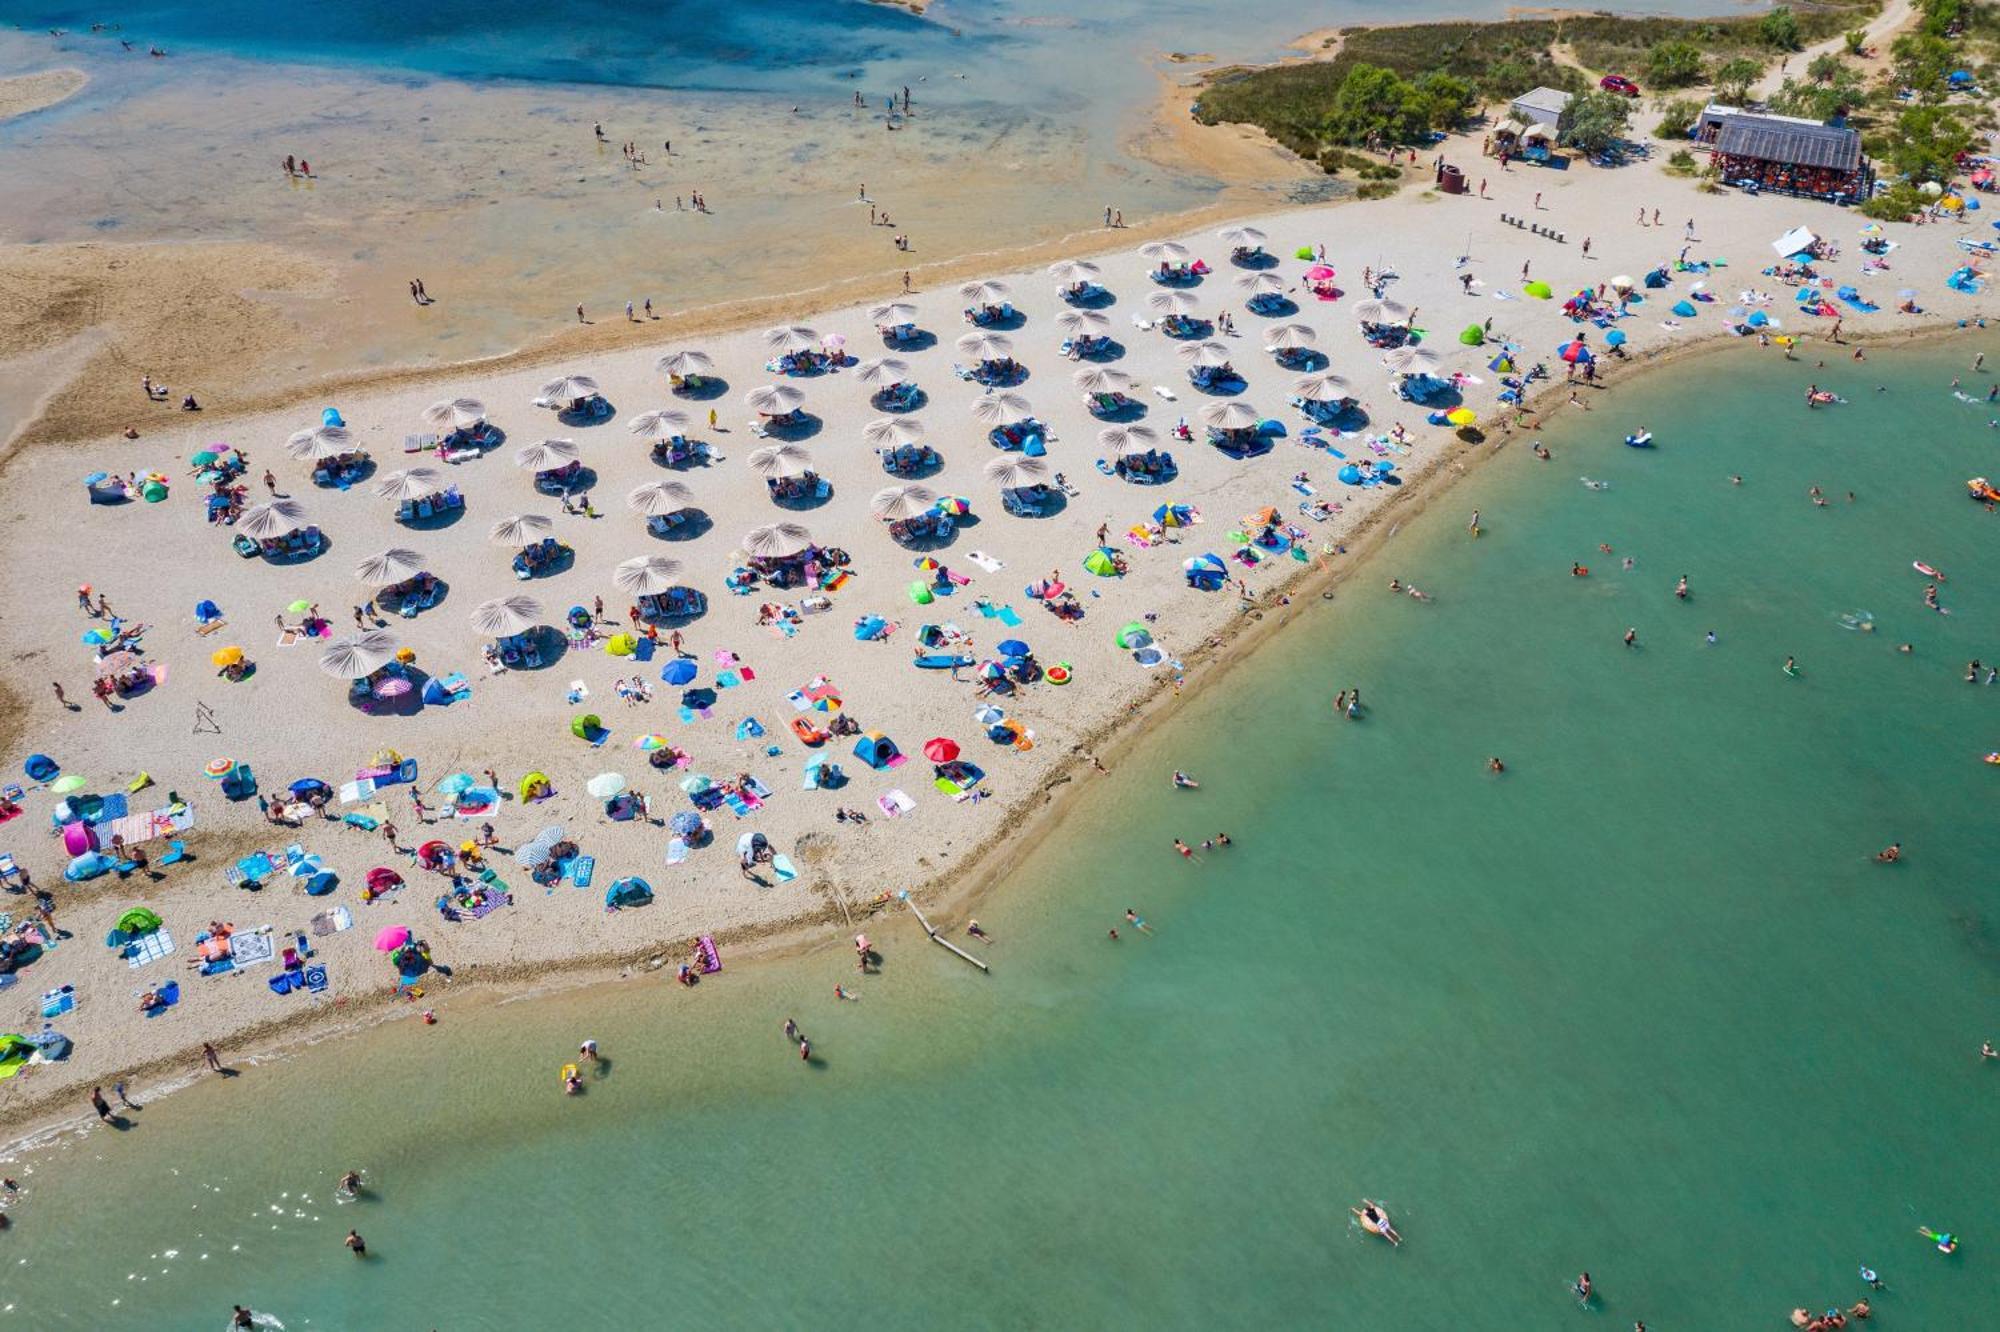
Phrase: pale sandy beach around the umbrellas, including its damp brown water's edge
(289, 721)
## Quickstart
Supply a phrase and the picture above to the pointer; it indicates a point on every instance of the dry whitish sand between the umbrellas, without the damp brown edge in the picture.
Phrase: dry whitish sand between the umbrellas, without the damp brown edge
(157, 561)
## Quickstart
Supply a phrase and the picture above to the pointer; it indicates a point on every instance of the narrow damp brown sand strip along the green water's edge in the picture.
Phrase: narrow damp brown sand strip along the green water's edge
(951, 895)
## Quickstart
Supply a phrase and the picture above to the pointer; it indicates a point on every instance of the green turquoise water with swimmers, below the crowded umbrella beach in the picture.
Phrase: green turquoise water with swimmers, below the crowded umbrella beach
(1643, 1005)
